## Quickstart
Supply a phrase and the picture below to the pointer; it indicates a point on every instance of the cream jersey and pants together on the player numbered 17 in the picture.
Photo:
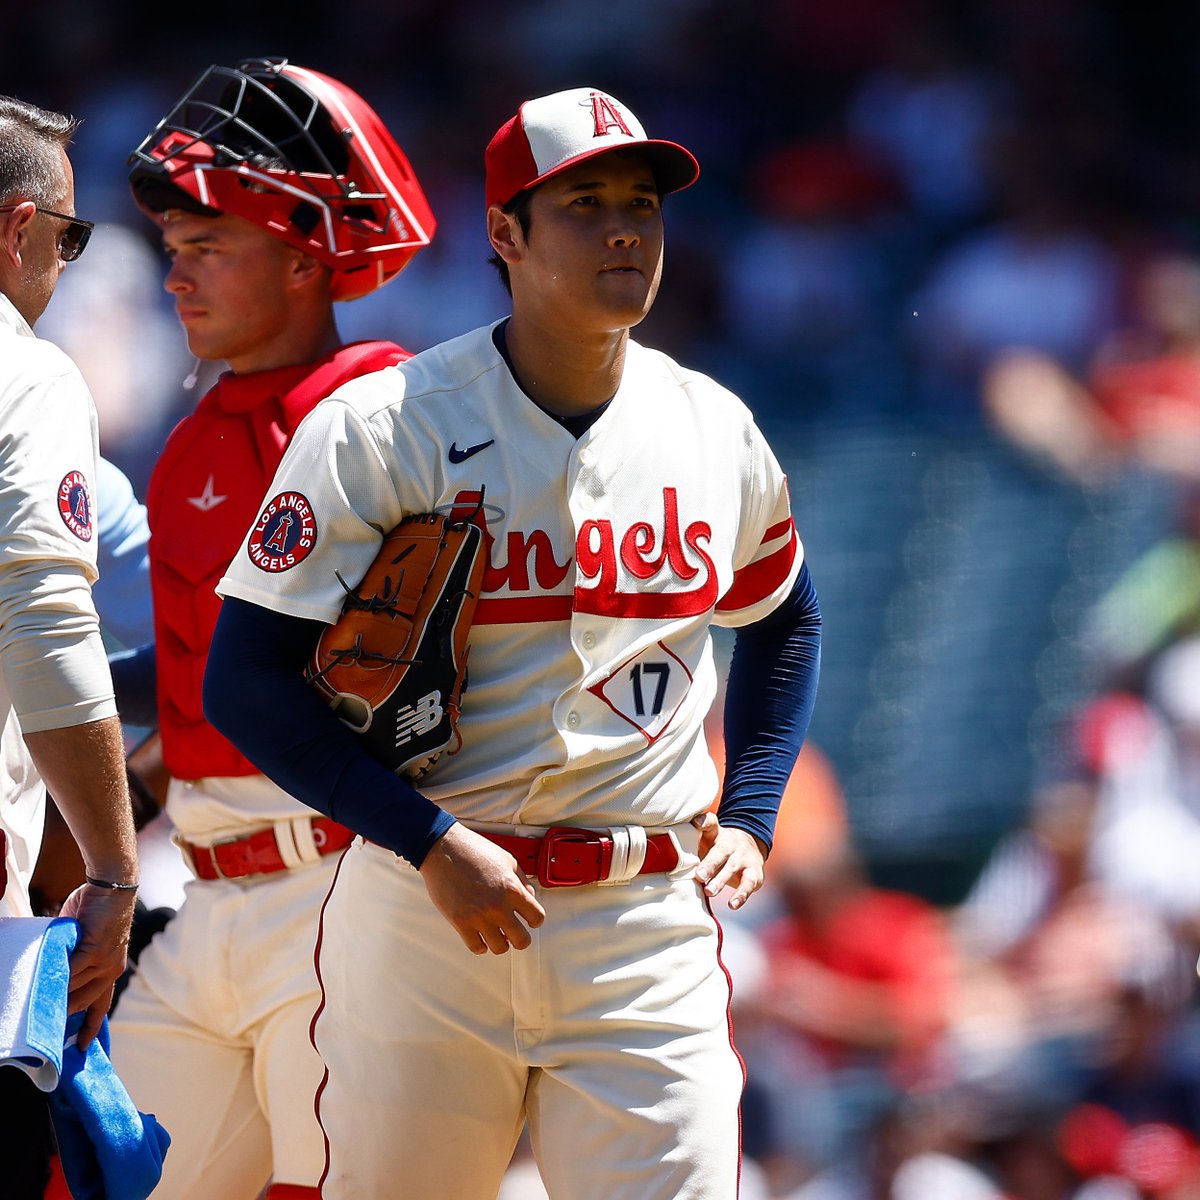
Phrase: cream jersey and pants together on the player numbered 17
(591, 673)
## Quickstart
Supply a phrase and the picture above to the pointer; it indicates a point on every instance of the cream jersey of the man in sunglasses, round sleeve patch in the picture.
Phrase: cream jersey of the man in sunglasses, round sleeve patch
(53, 669)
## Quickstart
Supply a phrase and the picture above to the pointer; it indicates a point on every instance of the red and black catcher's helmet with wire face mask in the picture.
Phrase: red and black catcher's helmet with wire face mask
(299, 155)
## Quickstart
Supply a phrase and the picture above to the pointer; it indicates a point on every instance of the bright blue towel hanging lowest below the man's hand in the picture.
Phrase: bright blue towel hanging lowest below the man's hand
(110, 1150)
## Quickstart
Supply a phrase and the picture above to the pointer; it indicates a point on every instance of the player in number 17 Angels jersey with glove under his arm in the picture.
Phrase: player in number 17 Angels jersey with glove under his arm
(628, 506)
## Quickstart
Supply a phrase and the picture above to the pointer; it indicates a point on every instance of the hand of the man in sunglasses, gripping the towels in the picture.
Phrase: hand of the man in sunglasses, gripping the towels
(100, 956)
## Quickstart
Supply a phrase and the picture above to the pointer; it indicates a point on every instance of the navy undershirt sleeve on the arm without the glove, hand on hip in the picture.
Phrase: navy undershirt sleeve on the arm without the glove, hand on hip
(769, 704)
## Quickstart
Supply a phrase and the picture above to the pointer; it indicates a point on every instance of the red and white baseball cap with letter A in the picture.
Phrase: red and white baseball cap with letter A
(555, 133)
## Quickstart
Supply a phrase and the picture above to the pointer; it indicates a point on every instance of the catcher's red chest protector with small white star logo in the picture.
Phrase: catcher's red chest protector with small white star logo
(205, 494)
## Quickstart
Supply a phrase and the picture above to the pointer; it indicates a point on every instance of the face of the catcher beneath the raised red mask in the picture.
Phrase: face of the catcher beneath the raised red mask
(233, 289)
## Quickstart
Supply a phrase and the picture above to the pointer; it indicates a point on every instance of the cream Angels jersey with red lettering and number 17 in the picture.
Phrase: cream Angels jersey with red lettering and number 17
(609, 559)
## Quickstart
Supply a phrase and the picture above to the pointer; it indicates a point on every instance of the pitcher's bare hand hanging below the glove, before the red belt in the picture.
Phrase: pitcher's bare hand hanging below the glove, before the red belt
(479, 890)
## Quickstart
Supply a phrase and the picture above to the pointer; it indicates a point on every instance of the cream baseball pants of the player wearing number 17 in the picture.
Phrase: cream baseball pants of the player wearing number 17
(611, 1034)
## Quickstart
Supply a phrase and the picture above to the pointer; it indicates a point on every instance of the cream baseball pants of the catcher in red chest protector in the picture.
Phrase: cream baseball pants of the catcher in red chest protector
(212, 1035)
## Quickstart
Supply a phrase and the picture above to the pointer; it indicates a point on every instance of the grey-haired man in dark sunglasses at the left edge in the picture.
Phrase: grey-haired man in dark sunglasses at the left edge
(58, 718)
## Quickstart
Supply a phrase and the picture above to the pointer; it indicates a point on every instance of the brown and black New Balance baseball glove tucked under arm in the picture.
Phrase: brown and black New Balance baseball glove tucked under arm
(394, 665)
